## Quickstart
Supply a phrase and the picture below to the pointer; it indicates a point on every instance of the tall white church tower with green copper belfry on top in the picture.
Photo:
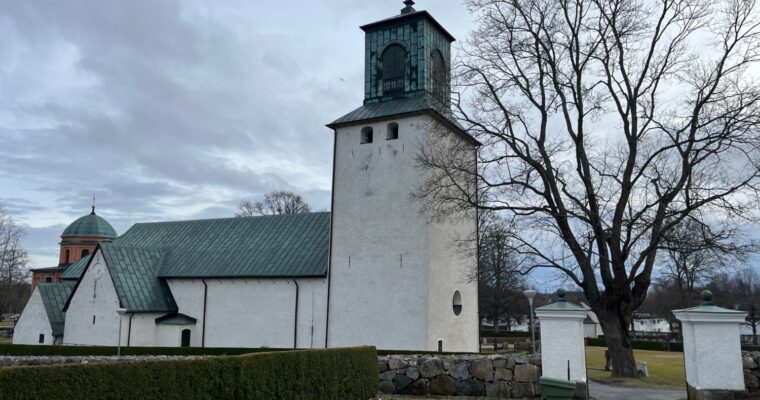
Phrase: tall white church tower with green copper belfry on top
(396, 279)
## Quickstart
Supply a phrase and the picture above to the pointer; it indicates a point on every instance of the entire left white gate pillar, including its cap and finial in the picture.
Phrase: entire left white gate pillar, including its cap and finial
(562, 342)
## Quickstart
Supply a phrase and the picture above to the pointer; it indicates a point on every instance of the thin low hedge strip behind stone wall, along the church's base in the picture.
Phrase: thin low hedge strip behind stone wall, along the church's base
(37, 350)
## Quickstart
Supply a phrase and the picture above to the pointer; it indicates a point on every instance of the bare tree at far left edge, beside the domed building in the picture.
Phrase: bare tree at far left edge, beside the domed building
(13, 270)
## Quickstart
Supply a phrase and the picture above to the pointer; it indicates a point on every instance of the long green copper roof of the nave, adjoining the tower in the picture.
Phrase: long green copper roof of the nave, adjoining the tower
(269, 246)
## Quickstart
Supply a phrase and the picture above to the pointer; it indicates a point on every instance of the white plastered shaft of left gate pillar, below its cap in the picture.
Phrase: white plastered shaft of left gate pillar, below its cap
(562, 340)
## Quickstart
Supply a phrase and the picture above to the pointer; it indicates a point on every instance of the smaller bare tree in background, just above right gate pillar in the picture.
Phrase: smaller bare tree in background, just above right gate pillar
(694, 252)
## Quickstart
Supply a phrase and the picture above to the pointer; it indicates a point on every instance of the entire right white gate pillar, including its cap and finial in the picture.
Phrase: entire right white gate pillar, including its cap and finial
(712, 350)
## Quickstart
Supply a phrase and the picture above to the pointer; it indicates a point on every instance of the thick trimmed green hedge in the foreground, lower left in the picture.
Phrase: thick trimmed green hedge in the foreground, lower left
(298, 374)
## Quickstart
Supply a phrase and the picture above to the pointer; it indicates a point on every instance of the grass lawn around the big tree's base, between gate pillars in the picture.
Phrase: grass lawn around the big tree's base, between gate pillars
(665, 368)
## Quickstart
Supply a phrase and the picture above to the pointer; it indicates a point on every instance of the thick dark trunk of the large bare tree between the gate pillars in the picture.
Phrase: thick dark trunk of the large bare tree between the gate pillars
(615, 328)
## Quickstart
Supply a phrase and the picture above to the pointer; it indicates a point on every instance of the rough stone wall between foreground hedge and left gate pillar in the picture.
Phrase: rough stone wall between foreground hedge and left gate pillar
(498, 376)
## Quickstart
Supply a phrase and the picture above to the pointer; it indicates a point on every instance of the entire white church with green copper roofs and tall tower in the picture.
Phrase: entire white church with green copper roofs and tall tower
(377, 270)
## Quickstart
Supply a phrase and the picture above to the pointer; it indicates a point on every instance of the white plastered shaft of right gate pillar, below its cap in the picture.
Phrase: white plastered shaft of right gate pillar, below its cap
(713, 356)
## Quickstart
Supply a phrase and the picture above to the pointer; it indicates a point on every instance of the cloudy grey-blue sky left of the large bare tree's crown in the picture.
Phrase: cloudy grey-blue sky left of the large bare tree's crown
(174, 109)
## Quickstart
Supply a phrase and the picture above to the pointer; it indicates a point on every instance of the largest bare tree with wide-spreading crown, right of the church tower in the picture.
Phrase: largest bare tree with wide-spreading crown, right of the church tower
(604, 124)
